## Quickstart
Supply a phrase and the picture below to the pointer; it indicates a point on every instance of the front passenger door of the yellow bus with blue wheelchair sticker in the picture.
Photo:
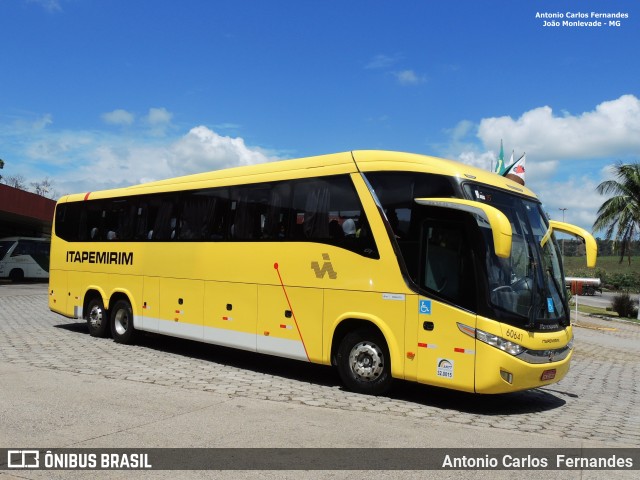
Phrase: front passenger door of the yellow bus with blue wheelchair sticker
(446, 354)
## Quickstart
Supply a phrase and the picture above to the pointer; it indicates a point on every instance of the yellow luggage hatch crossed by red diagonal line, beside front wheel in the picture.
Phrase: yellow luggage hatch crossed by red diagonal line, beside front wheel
(290, 322)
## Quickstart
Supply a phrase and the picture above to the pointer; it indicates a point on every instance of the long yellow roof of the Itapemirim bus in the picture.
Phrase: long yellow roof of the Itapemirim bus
(332, 164)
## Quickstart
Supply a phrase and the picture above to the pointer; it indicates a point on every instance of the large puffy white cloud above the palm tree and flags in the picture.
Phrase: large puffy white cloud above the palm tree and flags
(611, 129)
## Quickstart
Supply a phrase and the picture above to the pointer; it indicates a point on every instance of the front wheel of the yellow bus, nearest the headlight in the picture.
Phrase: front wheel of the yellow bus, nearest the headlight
(363, 362)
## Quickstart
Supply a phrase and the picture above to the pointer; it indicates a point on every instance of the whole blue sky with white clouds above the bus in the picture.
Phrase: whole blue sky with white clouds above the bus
(97, 94)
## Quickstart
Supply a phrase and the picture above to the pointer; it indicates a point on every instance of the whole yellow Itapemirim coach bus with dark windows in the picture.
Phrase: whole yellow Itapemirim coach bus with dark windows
(384, 264)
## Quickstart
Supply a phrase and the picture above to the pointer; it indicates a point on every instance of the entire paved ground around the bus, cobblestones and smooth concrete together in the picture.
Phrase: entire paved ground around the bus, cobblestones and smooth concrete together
(59, 387)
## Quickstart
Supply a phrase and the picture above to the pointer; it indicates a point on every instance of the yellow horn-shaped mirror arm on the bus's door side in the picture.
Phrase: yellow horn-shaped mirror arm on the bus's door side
(497, 221)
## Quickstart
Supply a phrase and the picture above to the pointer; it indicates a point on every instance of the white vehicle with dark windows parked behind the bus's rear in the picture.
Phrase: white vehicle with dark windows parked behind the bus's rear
(24, 257)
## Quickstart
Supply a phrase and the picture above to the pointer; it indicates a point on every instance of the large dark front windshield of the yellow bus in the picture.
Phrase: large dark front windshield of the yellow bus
(530, 282)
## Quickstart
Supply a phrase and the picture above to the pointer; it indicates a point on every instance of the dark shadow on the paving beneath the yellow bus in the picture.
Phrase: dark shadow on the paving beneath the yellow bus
(517, 403)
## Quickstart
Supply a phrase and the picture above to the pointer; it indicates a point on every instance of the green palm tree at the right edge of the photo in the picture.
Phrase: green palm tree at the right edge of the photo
(620, 214)
